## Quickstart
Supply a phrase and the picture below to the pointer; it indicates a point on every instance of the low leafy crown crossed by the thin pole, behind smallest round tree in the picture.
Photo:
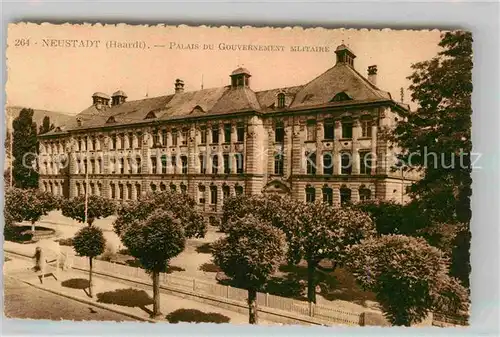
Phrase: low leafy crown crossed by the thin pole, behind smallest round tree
(97, 207)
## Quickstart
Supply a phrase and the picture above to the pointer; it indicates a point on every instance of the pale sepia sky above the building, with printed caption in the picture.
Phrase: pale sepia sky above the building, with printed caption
(45, 70)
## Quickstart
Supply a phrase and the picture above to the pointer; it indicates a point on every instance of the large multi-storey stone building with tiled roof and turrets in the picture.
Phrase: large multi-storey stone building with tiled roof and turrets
(317, 141)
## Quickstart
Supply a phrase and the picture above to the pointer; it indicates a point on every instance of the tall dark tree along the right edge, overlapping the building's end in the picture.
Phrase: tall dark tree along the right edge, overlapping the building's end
(437, 138)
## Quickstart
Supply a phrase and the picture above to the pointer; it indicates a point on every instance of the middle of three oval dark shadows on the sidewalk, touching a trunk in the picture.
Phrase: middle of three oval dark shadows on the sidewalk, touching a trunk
(127, 297)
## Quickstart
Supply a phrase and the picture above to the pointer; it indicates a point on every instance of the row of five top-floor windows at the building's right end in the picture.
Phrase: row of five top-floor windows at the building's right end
(328, 130)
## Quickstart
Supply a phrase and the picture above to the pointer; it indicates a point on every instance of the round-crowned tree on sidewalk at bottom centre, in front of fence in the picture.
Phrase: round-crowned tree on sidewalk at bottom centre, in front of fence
(250, 254)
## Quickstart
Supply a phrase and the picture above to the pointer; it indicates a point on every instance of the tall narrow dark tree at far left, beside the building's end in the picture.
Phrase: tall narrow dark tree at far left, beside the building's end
(24, 150)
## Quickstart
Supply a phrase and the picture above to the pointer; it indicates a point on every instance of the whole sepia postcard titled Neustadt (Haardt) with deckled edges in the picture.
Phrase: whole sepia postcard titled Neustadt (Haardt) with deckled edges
(238, 175)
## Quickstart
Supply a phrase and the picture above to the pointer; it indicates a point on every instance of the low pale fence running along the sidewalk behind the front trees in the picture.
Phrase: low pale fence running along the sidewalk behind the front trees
(197, 286)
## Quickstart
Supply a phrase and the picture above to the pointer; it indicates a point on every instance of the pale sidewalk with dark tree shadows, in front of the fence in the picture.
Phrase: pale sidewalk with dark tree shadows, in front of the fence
(124, 299)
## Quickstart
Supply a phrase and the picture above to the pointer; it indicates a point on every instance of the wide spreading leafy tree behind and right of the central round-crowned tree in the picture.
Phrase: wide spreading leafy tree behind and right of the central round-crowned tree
(314, 231)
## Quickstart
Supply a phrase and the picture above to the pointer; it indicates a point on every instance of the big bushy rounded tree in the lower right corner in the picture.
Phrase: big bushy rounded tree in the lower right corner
(410, 277)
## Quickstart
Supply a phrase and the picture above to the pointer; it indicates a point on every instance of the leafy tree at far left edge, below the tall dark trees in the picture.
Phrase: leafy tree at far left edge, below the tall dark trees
(29, 204)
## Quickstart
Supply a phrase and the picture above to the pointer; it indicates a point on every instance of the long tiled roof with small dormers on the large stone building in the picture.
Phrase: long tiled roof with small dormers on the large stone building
(318, 93)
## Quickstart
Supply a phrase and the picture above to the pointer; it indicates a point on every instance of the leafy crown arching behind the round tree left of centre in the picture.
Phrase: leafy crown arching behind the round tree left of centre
(182, 206)
